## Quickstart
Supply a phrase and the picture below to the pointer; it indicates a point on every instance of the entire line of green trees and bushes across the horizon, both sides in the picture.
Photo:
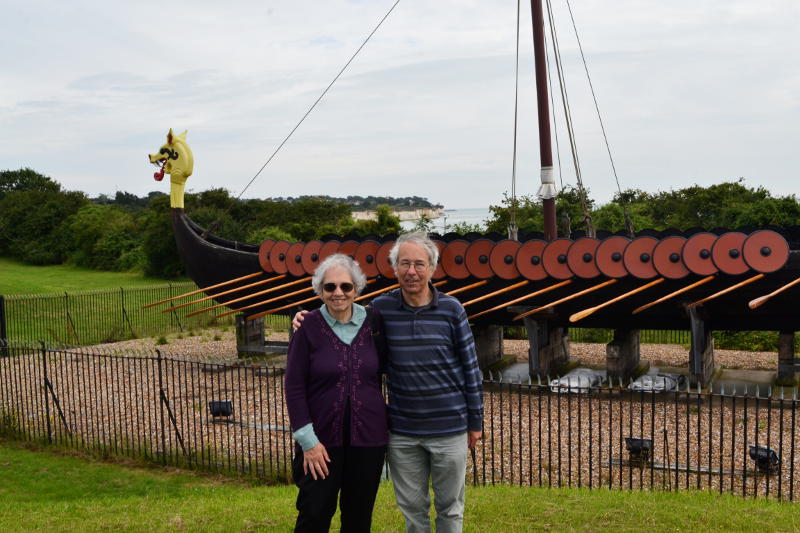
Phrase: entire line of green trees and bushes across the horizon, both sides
(41, 223)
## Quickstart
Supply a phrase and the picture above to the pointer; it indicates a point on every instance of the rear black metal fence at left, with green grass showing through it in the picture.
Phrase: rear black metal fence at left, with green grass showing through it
(92, 317)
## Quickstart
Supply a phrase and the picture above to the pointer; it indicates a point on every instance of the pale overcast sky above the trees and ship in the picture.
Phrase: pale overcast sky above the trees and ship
(690, 92)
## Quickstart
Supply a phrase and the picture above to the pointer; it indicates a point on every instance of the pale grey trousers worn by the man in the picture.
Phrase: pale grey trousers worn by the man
(442, 461)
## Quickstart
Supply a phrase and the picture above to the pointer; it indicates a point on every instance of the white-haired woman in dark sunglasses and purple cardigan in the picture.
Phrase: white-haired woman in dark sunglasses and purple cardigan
(336, 408)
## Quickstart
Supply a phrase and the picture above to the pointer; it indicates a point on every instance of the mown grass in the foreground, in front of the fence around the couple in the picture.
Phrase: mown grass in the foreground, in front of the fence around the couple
(46, 490)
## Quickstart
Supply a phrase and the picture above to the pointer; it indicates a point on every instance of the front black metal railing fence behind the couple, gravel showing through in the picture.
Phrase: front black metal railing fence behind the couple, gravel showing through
(232, 418)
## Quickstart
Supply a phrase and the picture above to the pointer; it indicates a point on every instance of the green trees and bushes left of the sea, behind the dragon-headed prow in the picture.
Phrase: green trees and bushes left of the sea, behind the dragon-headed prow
(41, 224)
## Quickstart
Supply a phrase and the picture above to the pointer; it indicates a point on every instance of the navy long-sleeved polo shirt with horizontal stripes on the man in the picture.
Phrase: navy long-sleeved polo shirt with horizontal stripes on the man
(434, 380)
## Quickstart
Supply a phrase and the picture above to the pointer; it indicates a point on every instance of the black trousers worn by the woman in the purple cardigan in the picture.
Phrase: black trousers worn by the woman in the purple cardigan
(354, 472)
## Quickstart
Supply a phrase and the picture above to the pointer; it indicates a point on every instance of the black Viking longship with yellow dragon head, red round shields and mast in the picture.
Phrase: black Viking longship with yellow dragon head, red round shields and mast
(697, 280)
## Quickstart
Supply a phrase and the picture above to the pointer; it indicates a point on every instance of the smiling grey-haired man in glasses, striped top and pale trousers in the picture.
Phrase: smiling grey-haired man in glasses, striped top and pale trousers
(435, 401)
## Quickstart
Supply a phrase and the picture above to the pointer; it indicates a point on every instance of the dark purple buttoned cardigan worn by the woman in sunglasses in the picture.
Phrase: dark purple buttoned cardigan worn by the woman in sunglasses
(322, 371)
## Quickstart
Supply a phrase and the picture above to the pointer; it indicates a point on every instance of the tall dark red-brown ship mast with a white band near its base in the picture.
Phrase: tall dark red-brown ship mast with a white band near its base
(547, 190)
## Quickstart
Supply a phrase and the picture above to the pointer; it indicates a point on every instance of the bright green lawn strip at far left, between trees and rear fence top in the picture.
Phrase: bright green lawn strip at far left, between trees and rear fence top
(19, 278)
